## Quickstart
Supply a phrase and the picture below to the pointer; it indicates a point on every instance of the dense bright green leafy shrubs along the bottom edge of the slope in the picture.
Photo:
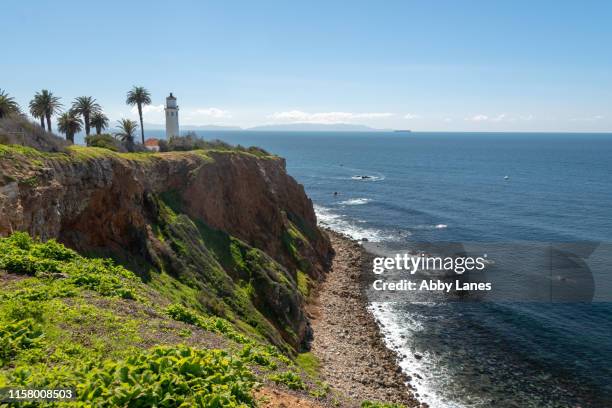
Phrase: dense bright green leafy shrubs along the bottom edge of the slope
(161, 377)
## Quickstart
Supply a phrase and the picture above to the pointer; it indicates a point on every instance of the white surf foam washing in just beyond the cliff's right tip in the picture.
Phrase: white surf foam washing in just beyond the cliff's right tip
(354, 228)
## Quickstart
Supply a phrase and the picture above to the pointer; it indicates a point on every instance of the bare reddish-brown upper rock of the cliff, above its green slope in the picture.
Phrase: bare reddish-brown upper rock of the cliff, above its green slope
(98, 202)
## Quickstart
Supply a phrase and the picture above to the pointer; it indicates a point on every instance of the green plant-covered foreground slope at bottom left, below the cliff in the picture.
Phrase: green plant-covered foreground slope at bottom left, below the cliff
(67, 321)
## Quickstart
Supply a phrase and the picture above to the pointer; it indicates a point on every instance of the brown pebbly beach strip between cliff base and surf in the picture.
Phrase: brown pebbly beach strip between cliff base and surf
(347, 341)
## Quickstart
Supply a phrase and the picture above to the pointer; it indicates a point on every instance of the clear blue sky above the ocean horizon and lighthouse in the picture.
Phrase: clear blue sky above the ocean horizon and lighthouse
(422, 65)
